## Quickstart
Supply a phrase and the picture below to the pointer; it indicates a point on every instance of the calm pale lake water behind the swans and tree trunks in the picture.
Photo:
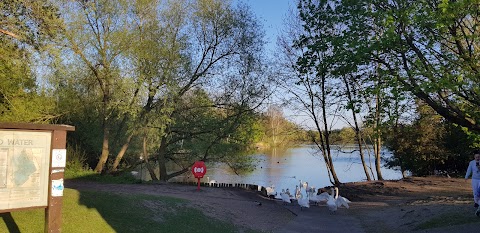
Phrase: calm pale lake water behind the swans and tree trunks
(284, 169)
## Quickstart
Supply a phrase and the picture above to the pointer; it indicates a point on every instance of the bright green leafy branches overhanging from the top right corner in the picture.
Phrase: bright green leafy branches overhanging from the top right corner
(430, 52)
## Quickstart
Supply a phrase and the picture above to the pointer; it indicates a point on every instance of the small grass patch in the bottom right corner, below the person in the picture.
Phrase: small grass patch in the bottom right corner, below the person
(450, 219)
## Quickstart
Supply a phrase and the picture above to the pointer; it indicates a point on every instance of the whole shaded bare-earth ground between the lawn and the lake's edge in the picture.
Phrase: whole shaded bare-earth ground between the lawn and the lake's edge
(387, 206)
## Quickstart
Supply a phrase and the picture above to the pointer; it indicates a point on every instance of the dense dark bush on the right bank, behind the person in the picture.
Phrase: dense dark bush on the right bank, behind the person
(430, 145)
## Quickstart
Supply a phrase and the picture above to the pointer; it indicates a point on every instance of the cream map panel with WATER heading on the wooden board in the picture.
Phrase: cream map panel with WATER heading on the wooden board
(24, 168)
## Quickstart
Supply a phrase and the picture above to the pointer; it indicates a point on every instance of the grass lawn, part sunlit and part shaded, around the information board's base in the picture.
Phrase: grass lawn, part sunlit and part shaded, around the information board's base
(105, 212)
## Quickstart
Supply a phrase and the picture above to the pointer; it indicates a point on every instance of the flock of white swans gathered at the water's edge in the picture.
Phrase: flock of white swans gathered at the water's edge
(332, 199)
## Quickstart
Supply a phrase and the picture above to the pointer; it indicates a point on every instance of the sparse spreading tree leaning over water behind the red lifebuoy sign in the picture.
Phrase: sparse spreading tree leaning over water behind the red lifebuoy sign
(218, 49)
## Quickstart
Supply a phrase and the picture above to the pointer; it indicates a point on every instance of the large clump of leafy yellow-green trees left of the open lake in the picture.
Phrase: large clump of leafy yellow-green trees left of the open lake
(194, 68)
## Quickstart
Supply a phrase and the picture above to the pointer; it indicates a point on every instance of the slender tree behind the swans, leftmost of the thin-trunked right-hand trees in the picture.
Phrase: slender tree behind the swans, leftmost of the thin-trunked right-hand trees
(311, 87)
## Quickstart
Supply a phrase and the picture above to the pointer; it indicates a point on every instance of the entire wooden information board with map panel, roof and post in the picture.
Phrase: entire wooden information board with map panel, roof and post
(32, 166)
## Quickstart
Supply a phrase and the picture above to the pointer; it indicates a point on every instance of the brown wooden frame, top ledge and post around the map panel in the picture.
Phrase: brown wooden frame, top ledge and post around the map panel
(53, 210)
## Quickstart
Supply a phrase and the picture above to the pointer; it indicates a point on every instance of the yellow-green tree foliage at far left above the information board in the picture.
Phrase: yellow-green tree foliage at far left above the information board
(26, 28)
